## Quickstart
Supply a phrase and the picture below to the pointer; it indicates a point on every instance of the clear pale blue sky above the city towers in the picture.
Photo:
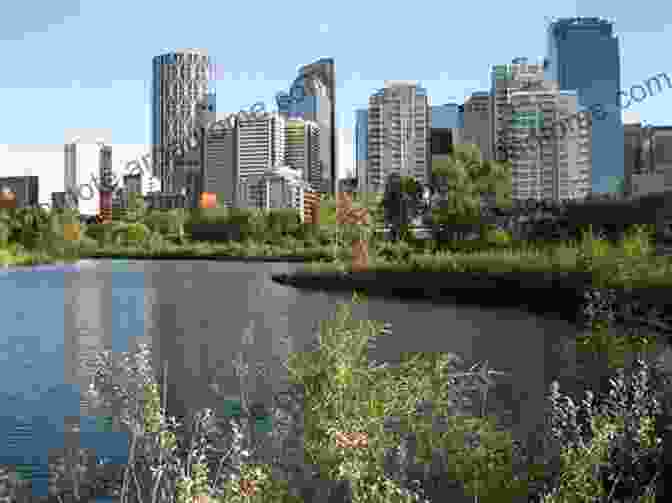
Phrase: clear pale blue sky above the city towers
(83, 68)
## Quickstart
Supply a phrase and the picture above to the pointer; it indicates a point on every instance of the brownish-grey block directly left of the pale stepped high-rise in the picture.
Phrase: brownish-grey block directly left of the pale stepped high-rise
(477, 117)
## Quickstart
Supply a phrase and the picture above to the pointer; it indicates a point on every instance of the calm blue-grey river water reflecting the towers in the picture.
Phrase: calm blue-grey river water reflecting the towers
(196, 313)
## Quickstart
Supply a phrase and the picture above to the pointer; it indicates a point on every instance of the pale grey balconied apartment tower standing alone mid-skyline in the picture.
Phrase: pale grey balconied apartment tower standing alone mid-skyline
(398, 134)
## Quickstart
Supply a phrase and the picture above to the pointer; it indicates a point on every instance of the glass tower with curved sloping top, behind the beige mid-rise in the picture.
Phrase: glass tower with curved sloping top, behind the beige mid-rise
(312, 96)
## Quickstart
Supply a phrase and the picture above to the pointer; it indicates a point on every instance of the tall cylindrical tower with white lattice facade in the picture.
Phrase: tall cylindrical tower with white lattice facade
(179, 84)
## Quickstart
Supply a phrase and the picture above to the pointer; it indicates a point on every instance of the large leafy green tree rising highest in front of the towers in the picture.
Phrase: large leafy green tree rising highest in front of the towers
(464, 182)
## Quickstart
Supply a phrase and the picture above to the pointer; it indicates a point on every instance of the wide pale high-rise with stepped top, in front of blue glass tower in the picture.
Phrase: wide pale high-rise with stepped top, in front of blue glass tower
(528, 108)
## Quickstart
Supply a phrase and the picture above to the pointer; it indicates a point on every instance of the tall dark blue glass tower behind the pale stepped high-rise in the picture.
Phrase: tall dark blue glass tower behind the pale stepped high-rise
(583, 55)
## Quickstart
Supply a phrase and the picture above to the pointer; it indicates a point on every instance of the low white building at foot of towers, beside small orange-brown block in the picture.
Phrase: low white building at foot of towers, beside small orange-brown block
(278, 187)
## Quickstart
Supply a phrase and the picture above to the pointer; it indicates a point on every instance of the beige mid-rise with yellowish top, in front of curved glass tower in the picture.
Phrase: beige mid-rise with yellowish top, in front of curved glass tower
(303, 150)
